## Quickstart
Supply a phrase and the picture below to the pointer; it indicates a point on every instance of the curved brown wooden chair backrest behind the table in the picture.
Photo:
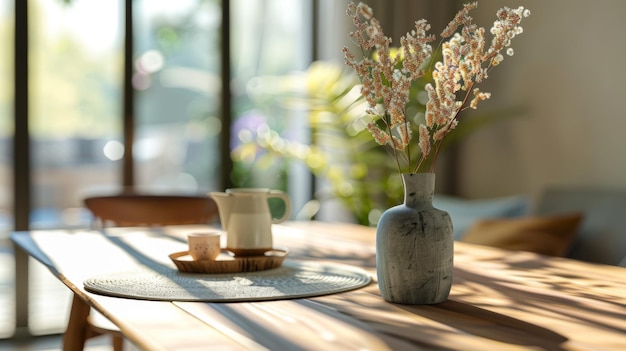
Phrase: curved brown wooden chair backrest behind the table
(131, 210)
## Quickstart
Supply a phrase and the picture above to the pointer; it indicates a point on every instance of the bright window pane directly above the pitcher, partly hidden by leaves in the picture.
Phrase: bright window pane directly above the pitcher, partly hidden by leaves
(271, 38)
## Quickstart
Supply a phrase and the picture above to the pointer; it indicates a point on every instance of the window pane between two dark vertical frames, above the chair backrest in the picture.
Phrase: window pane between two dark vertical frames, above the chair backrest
(178, 94)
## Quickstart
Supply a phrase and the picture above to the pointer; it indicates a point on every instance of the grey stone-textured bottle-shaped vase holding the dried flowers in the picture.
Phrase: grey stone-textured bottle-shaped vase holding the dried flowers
(415, 246)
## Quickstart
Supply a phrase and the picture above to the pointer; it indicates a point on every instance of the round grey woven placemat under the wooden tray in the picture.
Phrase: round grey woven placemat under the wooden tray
(294, 279)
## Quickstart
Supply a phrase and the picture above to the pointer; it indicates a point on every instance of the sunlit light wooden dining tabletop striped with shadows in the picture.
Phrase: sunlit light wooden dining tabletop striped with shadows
(500, 300)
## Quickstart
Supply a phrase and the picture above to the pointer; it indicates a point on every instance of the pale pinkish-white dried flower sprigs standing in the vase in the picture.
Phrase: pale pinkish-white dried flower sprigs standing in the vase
(386, 81)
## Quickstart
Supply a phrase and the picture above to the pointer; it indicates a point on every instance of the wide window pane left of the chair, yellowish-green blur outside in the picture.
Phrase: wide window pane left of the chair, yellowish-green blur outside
(75, 103)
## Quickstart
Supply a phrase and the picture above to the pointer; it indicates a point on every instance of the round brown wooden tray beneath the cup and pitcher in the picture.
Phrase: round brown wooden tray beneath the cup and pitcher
(227, 262)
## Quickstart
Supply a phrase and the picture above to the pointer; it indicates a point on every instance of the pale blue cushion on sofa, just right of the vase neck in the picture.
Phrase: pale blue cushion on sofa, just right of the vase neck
(464, 212)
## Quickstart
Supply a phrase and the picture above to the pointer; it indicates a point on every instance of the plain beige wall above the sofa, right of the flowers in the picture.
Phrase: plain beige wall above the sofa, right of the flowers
(569, 72)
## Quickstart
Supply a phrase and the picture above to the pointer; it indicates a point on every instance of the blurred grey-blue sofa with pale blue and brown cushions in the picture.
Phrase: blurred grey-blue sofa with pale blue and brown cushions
(583, 223)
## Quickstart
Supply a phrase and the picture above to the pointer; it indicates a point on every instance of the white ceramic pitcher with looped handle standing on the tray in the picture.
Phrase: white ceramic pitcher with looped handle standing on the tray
(246, 217)
